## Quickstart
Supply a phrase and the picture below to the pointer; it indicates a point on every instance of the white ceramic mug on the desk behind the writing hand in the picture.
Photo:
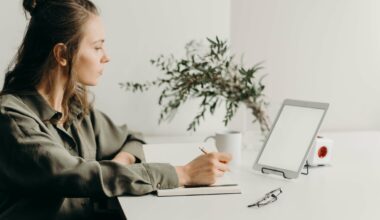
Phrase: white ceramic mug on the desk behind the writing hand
(229, 142)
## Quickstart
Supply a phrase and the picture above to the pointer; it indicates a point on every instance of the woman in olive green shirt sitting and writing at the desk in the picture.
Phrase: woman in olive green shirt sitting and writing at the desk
(58, 155)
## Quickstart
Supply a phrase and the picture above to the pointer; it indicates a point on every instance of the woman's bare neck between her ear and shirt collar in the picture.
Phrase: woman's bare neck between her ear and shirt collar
(54, 91)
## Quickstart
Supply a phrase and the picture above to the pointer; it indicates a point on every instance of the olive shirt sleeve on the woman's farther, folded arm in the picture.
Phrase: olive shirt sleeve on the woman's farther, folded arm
(111, 139)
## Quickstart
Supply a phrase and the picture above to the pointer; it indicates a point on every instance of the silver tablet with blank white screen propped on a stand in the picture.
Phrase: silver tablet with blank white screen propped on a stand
(291, 138)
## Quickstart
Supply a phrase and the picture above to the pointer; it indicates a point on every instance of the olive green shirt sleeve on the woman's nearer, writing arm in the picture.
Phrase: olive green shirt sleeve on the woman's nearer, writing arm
(33, 162)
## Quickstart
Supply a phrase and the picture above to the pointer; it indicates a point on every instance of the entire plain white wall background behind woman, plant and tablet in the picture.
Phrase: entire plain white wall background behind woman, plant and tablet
(324, 51)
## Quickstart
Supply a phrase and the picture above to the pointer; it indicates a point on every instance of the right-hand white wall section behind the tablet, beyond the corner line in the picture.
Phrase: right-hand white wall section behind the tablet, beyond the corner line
(316, 50)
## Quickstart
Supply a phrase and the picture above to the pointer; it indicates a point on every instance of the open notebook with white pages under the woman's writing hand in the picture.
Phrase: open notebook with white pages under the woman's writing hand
(180, 154)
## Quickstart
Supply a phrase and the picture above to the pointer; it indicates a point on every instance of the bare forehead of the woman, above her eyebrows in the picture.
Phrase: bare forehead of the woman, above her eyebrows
(93, 29)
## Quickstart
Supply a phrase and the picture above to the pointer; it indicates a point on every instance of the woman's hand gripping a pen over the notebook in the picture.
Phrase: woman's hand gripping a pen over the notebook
(204, 169)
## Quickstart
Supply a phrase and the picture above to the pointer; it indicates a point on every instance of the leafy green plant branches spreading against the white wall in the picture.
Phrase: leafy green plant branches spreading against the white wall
(210, 74)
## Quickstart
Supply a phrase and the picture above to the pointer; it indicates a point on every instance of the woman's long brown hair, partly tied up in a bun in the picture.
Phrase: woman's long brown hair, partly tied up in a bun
(51, 22)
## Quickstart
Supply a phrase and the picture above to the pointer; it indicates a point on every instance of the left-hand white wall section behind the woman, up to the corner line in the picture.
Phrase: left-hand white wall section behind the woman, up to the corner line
(137, 31)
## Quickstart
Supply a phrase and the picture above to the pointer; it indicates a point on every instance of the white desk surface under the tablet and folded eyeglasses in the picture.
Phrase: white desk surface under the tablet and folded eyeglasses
(349, 189)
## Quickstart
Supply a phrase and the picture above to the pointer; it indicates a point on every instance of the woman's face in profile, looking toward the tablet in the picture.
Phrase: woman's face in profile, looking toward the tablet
(91, 56)
